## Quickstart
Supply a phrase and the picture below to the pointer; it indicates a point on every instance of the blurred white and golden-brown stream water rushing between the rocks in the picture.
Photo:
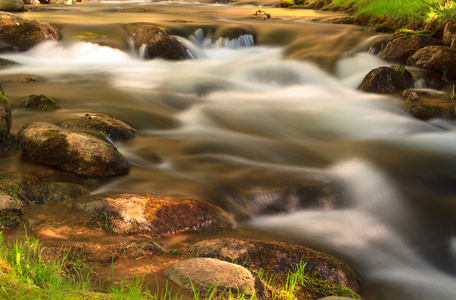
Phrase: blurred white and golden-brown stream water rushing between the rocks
(249, 119)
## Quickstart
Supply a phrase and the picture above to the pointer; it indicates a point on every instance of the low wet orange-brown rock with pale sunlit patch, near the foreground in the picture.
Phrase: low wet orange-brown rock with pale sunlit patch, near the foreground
(153, 215)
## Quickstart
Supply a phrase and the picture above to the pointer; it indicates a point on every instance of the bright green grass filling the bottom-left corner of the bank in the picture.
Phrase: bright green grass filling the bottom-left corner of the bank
(29, 271)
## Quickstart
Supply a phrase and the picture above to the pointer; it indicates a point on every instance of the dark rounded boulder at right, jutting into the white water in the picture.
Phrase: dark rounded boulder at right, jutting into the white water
(387, 80)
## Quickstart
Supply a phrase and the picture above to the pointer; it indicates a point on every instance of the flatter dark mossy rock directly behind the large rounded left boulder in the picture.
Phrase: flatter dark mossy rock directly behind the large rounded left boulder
(100, 123)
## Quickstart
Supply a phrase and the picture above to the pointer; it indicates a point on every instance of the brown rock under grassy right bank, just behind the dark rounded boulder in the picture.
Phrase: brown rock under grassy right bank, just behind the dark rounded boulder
(401, 48)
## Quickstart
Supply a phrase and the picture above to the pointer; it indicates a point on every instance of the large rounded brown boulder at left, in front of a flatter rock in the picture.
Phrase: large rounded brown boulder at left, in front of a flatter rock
(78, 153)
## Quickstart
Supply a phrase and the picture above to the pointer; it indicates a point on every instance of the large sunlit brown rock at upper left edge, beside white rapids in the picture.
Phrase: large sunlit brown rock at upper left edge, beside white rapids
(19, 33)
